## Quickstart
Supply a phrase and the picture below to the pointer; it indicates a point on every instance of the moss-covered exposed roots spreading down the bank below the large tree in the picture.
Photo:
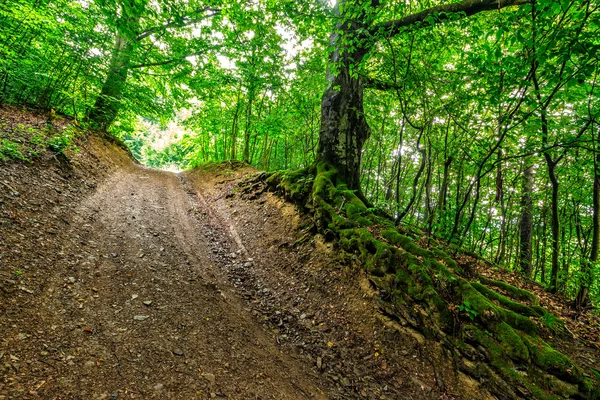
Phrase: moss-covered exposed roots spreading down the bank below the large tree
(492, 328)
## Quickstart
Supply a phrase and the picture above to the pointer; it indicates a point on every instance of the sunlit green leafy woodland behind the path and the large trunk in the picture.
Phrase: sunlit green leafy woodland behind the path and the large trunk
(484, 131)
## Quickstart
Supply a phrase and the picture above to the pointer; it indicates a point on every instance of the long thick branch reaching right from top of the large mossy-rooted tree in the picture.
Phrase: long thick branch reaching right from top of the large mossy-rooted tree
(443, 13)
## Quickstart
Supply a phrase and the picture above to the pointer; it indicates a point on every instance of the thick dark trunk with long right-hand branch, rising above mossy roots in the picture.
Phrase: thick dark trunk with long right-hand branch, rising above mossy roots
(344, 128)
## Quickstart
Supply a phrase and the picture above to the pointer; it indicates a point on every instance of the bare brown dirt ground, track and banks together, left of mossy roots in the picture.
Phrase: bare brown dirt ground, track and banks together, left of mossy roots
(118, 281)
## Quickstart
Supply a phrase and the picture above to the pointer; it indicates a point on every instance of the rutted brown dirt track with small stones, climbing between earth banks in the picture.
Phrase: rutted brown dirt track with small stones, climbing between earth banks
(145, 313)
